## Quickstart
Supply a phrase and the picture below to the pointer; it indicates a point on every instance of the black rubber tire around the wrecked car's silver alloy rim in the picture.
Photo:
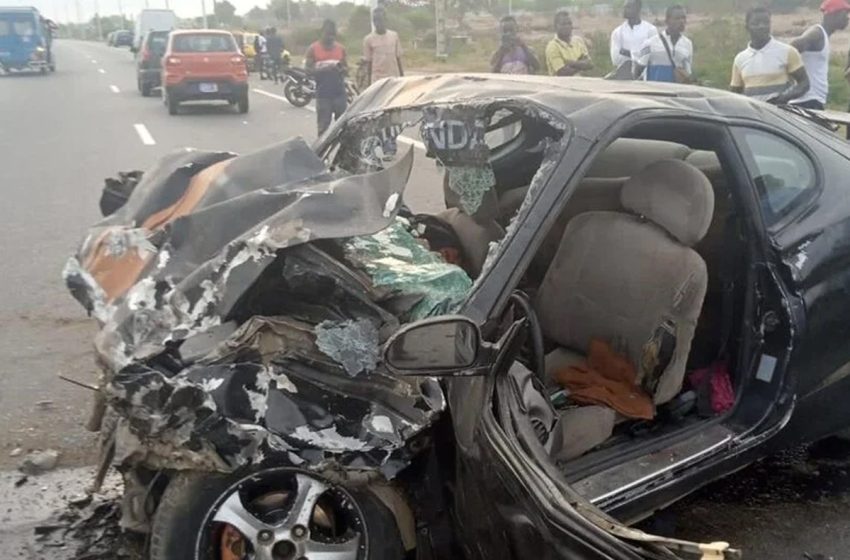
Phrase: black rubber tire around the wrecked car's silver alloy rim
(188, 498)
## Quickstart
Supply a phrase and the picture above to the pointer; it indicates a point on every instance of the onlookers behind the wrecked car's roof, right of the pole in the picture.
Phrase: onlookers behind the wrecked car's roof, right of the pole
(767, 69)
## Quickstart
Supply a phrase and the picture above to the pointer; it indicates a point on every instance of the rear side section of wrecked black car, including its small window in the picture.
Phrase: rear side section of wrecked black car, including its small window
(799, 173)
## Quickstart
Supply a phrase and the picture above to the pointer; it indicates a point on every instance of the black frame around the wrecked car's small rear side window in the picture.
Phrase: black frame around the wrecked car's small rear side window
(777, 221)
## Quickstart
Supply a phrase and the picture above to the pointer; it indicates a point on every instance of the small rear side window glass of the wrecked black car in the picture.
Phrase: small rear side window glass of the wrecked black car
(782, 172)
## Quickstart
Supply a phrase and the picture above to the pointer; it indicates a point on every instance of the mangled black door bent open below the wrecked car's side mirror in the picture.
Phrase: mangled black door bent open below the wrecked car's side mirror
(508, 506)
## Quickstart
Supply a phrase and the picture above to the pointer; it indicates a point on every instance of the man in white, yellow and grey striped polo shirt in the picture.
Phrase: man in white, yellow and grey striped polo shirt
(768, 69)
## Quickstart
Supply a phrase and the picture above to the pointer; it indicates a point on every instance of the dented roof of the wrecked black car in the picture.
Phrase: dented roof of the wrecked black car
(589, 102)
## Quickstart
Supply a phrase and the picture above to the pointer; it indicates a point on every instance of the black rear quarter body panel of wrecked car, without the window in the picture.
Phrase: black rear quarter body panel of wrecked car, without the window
(815, 249)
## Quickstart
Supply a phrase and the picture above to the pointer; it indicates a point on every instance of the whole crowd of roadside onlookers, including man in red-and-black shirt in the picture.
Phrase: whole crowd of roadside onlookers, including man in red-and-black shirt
(768, 69)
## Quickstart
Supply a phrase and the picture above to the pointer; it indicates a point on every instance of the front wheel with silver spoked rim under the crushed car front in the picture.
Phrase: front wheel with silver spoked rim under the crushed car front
(274, 513)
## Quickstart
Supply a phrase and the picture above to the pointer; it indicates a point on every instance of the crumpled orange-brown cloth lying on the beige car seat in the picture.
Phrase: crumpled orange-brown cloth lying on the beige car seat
(607, 379)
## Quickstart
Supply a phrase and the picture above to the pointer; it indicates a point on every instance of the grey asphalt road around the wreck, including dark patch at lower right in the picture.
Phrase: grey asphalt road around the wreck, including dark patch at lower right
(62, 134)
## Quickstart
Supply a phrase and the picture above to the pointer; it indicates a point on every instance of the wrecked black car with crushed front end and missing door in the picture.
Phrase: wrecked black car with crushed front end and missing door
(612, 294)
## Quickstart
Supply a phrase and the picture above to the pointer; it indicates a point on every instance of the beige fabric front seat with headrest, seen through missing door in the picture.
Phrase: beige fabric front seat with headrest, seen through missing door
(619, 276)
